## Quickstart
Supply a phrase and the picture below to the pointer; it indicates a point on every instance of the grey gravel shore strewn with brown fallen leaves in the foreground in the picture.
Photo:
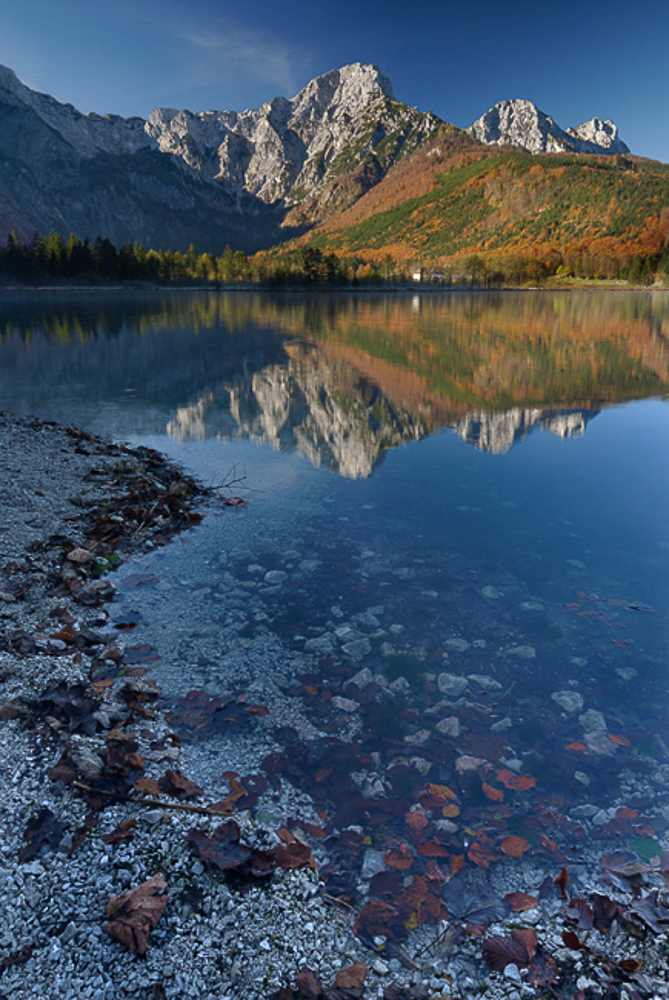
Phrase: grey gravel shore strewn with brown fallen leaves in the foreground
(78, 725)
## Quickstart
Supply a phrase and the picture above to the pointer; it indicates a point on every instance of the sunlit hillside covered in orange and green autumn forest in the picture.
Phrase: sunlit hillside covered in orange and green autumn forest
(455, 206)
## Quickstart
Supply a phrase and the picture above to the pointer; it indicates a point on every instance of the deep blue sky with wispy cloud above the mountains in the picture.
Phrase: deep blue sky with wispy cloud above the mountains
(574, 58)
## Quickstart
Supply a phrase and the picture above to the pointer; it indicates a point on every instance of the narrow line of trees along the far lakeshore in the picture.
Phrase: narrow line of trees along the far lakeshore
(54, 260)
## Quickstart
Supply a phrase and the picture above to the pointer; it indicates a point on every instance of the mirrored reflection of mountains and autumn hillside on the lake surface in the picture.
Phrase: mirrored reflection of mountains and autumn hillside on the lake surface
(341, 379)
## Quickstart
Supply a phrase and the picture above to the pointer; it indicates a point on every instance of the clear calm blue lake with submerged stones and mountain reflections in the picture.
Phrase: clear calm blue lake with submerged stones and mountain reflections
(440, 619)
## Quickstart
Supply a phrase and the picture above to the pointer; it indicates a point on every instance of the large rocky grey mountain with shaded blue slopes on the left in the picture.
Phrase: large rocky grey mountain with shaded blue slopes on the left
(210, 178)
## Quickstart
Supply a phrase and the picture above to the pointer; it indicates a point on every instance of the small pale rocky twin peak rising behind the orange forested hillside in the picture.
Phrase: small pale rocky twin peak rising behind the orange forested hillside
(521, 123)
